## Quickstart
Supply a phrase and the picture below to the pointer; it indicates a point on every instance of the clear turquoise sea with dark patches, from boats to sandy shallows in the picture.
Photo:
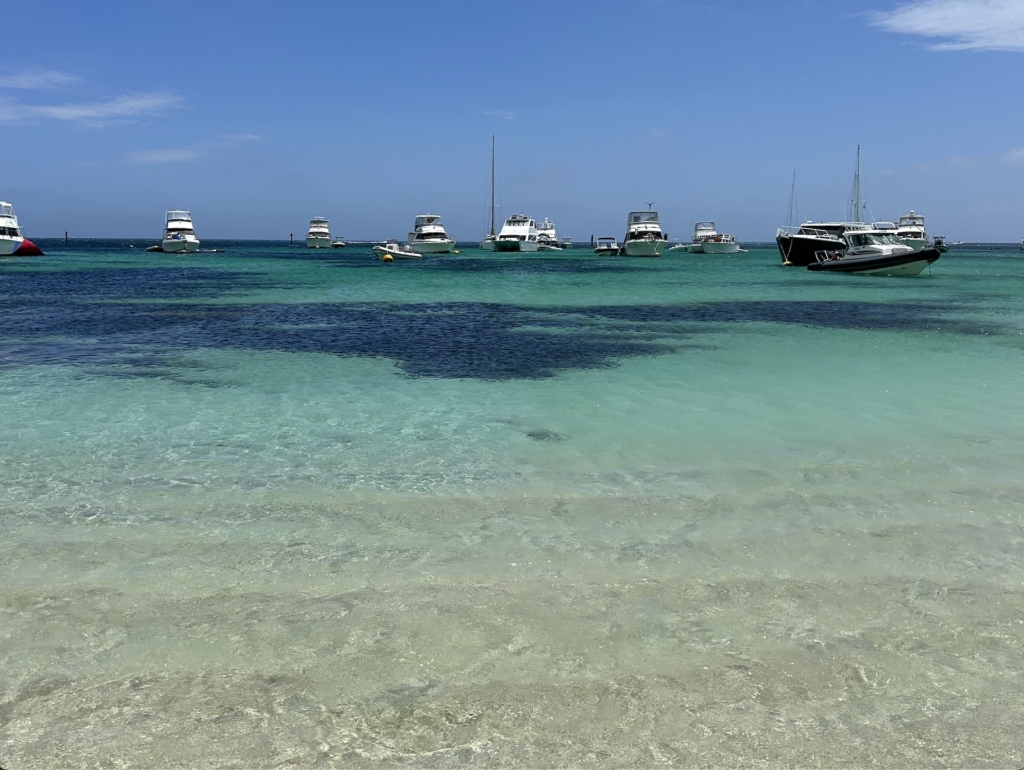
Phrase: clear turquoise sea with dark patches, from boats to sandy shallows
(274, 506)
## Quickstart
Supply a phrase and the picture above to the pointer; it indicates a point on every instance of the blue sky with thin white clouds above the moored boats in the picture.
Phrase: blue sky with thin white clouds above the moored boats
(259, 116)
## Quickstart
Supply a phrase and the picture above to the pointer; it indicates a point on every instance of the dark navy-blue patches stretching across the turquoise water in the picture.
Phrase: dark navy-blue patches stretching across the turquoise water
(136, 322)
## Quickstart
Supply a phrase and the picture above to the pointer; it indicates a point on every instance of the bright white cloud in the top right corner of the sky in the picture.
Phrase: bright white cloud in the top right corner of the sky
(967, 25)
